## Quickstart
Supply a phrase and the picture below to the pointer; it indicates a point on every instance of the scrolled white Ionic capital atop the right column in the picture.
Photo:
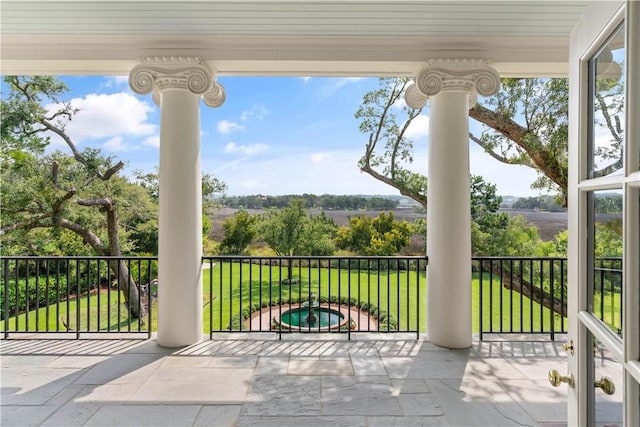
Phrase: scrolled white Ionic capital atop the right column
(472, 75)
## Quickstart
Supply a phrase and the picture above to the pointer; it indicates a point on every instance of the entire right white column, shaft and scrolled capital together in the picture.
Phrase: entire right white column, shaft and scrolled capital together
(449, 84)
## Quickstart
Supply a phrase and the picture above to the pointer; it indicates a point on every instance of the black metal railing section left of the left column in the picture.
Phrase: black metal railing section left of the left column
(76, 295)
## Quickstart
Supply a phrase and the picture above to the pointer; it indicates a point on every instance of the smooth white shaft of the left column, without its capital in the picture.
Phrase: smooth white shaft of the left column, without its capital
(180, 222)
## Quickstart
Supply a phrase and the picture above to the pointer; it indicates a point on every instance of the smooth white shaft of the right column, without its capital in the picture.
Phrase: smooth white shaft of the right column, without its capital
(449, 222)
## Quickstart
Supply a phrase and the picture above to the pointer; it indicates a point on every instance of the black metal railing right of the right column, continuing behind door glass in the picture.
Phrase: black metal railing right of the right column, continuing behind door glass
(519, 295)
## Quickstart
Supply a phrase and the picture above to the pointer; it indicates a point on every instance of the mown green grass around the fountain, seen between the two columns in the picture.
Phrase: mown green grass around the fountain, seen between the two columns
(393, 292)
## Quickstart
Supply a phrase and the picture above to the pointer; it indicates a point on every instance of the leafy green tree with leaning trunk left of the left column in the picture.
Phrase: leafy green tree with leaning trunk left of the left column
(59, 191)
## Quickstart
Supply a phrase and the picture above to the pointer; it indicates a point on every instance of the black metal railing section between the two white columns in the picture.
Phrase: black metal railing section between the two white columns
(296, 294)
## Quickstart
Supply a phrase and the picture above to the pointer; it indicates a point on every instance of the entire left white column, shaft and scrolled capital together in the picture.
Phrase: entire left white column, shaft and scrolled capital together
(178, 84)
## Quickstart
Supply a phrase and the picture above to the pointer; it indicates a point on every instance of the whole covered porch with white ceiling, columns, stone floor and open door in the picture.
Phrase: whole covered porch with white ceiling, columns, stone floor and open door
(455, 51)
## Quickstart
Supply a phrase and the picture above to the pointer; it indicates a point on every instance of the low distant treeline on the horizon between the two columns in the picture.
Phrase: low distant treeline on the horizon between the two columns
(325, 201)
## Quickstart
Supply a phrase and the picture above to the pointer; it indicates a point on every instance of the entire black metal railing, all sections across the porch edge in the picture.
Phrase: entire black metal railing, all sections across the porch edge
(115, 295)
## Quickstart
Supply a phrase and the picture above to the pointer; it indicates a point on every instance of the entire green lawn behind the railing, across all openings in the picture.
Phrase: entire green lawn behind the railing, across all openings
(393, 292)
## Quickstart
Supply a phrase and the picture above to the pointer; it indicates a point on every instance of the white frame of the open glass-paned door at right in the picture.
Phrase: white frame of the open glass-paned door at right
(596, 26)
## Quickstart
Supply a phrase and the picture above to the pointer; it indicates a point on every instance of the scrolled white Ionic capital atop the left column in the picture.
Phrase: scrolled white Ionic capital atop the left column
(158, 73)
